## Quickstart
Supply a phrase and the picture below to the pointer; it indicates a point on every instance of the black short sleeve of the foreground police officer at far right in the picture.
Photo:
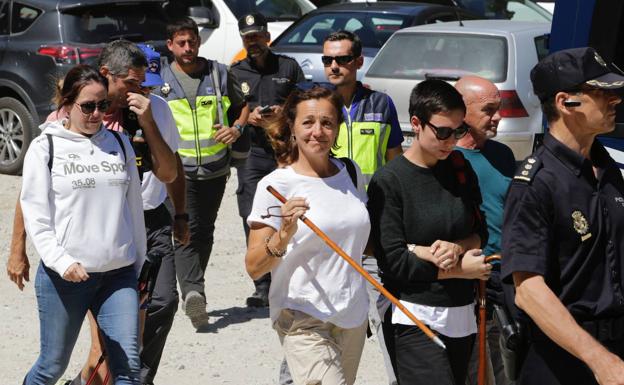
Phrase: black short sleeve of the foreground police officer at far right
(526, 229)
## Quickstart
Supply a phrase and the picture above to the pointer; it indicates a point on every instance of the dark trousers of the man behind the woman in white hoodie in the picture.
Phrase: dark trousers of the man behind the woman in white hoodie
(164, 304)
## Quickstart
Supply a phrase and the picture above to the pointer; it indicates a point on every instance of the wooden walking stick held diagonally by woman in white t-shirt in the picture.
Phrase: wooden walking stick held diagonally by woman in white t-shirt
(363, 272)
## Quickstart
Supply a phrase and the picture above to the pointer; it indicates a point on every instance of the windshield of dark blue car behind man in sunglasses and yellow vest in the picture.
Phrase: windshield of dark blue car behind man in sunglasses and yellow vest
(372, 28)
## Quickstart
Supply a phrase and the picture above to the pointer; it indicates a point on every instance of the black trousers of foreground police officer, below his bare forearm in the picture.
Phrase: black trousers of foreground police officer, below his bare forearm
(548, 364)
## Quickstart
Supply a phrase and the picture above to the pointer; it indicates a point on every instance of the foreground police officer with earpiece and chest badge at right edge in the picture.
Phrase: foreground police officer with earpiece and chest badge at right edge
(563, 228)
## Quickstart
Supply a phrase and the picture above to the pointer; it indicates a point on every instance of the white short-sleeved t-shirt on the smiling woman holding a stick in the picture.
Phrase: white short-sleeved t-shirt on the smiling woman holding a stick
(311, 277)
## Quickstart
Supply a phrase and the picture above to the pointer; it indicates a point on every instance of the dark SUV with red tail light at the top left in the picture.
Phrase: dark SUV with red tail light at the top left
(40, 40)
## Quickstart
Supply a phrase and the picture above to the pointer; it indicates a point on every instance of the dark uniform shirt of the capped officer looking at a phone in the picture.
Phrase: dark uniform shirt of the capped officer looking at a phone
(268, 86)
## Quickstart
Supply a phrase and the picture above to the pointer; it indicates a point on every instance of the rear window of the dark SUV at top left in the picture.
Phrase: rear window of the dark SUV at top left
(101, 24)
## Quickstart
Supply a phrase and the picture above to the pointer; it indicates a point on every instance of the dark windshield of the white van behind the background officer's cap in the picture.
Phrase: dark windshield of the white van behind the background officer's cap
(273, 10)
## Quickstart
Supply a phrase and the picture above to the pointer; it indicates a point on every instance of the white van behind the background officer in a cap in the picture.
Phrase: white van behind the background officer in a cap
(218, 21)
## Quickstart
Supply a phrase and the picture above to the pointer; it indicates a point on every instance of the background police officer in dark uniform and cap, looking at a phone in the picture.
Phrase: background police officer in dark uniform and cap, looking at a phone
(266, 81)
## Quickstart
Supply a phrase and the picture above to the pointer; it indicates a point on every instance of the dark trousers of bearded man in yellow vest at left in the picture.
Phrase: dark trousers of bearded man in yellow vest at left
(203, 198)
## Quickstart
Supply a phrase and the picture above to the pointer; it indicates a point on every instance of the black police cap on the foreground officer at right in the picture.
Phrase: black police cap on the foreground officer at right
(567, 70)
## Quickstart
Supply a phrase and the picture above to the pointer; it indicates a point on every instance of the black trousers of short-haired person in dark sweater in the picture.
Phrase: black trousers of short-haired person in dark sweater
(417, 360)
